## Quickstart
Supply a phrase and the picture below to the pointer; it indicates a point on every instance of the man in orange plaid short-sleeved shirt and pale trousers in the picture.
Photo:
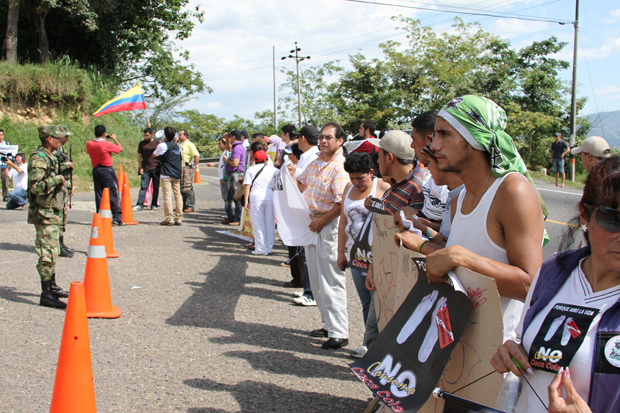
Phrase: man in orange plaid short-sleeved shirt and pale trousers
(322, 184)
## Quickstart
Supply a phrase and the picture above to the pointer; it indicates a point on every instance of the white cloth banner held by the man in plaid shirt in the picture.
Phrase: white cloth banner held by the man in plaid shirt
(292, 212)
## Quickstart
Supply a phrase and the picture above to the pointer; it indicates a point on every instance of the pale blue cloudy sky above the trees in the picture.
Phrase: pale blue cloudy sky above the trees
(233, 47)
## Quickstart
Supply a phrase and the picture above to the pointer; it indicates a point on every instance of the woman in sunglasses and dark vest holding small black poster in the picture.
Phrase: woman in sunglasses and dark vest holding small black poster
(571, 321)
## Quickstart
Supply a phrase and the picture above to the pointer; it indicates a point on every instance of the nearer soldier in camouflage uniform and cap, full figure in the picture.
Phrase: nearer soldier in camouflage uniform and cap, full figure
(46, 197)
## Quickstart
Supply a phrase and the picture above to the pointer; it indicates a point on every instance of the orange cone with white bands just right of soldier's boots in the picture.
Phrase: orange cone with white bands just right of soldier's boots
(96, 280)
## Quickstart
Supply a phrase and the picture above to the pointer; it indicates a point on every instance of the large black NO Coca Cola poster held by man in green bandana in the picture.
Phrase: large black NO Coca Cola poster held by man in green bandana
(405, 363)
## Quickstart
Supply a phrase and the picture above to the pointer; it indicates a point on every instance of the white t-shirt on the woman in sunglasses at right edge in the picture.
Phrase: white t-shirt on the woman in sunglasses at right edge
(577, 291)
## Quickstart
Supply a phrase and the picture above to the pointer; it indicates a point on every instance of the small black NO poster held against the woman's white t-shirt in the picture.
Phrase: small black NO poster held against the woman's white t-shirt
(560, 336)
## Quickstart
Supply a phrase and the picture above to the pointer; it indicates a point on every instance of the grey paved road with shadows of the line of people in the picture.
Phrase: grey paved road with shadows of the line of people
(205, 326)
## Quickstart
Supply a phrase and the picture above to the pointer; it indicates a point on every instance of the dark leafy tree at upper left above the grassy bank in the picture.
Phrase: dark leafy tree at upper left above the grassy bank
(127, 40)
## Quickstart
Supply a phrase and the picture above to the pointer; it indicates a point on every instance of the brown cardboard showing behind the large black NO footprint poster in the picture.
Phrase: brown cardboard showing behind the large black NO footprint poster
(394, 276)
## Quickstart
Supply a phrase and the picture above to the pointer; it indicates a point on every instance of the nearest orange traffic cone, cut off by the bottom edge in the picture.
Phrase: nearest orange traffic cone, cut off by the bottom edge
(74, 389)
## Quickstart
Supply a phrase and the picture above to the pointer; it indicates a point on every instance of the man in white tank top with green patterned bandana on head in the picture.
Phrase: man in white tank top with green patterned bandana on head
(497, 220)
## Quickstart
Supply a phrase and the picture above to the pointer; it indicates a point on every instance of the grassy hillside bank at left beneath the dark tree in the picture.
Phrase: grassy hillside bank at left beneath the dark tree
(61, 92)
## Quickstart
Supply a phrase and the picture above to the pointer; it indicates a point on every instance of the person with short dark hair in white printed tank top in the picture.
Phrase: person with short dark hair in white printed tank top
(353, 219)
